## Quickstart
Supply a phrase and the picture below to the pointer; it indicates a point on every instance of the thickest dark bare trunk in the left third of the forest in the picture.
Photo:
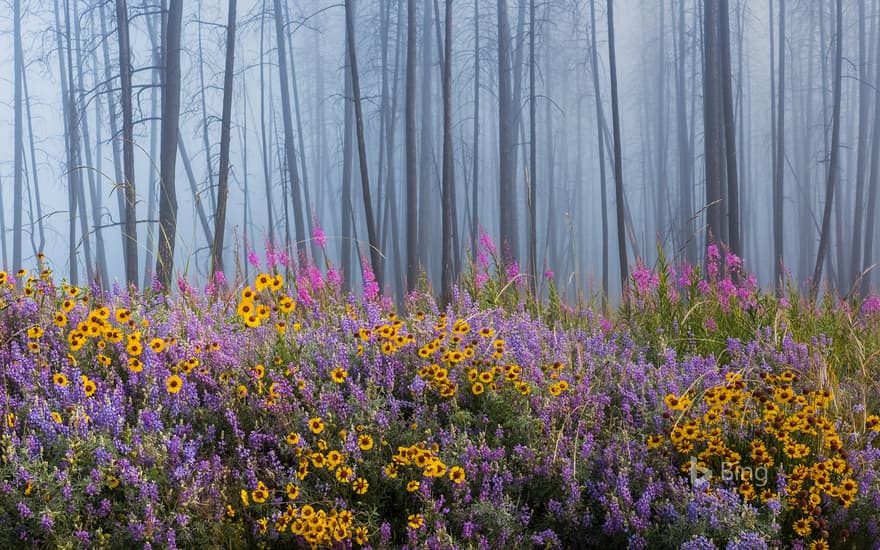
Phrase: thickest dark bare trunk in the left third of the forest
(168, 153)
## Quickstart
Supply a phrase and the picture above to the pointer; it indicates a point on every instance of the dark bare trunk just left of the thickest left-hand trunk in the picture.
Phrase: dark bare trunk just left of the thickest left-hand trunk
(129, 220)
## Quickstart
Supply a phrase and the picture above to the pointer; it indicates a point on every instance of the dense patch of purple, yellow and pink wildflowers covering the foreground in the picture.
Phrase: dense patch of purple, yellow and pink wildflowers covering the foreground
(283, 413)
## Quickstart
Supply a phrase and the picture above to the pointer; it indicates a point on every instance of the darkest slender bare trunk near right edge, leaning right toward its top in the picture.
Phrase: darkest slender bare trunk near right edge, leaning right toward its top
(833, 165)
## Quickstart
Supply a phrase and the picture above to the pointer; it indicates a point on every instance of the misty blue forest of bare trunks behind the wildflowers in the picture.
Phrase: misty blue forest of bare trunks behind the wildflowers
(150, 139)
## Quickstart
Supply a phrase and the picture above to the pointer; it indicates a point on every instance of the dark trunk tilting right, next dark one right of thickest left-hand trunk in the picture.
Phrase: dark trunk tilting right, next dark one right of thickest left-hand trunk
(225, 127)
